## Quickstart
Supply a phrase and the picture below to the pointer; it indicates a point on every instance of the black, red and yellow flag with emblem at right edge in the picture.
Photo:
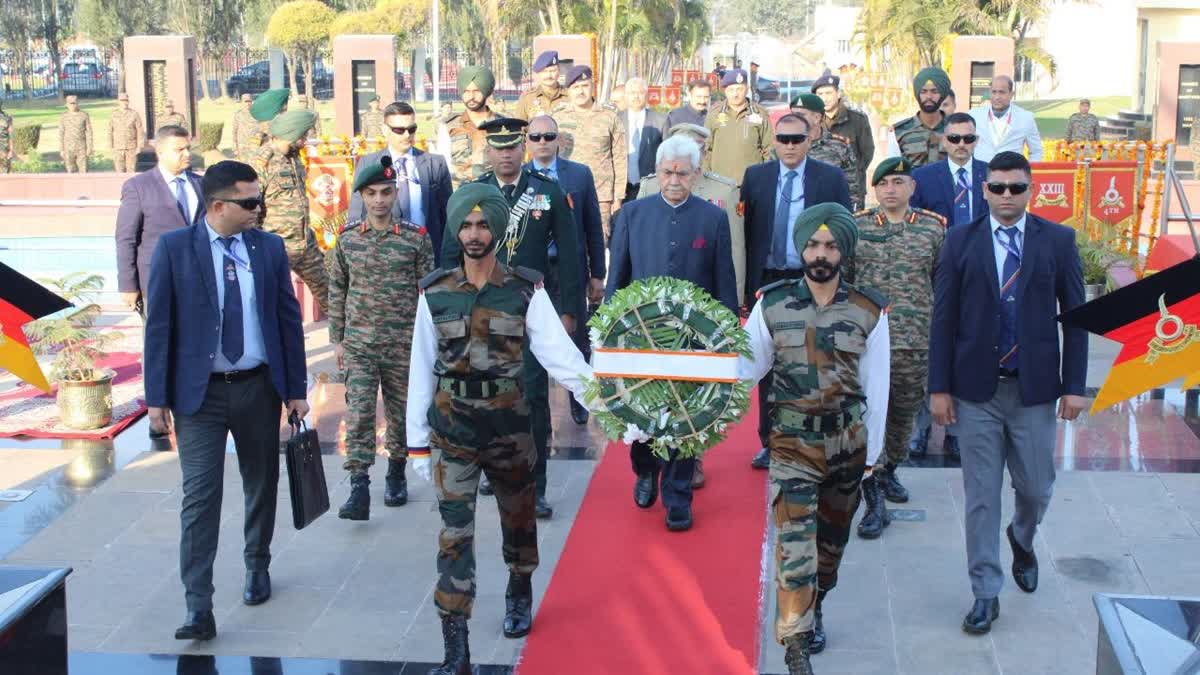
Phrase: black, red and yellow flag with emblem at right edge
(1157, 322)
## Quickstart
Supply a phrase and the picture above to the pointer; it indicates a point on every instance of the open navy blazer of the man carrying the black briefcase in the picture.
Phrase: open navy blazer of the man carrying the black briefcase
(184, 316)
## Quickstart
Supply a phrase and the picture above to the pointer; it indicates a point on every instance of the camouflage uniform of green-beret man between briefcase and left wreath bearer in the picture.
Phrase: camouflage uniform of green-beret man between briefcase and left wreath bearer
(373, 301)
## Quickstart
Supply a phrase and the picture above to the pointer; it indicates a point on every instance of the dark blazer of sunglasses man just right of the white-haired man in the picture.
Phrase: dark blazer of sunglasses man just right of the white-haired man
(760, 187)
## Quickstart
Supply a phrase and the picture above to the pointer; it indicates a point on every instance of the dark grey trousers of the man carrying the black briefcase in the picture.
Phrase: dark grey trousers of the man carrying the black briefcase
(250, 410)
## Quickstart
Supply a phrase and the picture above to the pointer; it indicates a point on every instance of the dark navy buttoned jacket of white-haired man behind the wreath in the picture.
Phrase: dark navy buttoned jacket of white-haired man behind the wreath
(693, 243)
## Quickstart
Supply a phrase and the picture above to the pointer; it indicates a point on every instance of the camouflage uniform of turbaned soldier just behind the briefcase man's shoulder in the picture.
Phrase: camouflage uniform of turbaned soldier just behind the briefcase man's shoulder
(287, 214)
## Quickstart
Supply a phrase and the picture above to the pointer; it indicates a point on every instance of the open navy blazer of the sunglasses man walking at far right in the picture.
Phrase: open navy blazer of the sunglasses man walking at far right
(967, 325)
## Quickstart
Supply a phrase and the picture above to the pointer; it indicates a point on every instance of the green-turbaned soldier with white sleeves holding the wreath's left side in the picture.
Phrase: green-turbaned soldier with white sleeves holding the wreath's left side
(478, 325)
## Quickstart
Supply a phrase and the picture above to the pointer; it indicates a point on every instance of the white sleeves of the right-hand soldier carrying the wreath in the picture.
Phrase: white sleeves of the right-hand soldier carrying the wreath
(874, 373)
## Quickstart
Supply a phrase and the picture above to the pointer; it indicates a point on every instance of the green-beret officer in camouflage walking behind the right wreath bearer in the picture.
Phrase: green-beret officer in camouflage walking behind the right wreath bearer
(897, 255)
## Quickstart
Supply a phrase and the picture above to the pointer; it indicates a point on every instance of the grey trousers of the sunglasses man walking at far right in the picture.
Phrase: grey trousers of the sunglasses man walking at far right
(992, 435)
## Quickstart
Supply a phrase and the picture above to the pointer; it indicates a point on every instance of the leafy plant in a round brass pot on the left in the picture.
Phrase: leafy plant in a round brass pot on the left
(86, 392)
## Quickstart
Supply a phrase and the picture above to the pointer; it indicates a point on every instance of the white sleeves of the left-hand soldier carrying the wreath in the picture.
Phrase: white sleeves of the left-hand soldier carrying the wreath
(549, 343)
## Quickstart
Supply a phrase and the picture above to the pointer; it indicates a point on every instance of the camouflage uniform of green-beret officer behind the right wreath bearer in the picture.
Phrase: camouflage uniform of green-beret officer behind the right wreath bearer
(899, 260)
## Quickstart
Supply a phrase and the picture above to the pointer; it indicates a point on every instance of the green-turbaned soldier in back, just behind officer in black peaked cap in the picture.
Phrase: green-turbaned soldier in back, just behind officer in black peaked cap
(466, 144)
